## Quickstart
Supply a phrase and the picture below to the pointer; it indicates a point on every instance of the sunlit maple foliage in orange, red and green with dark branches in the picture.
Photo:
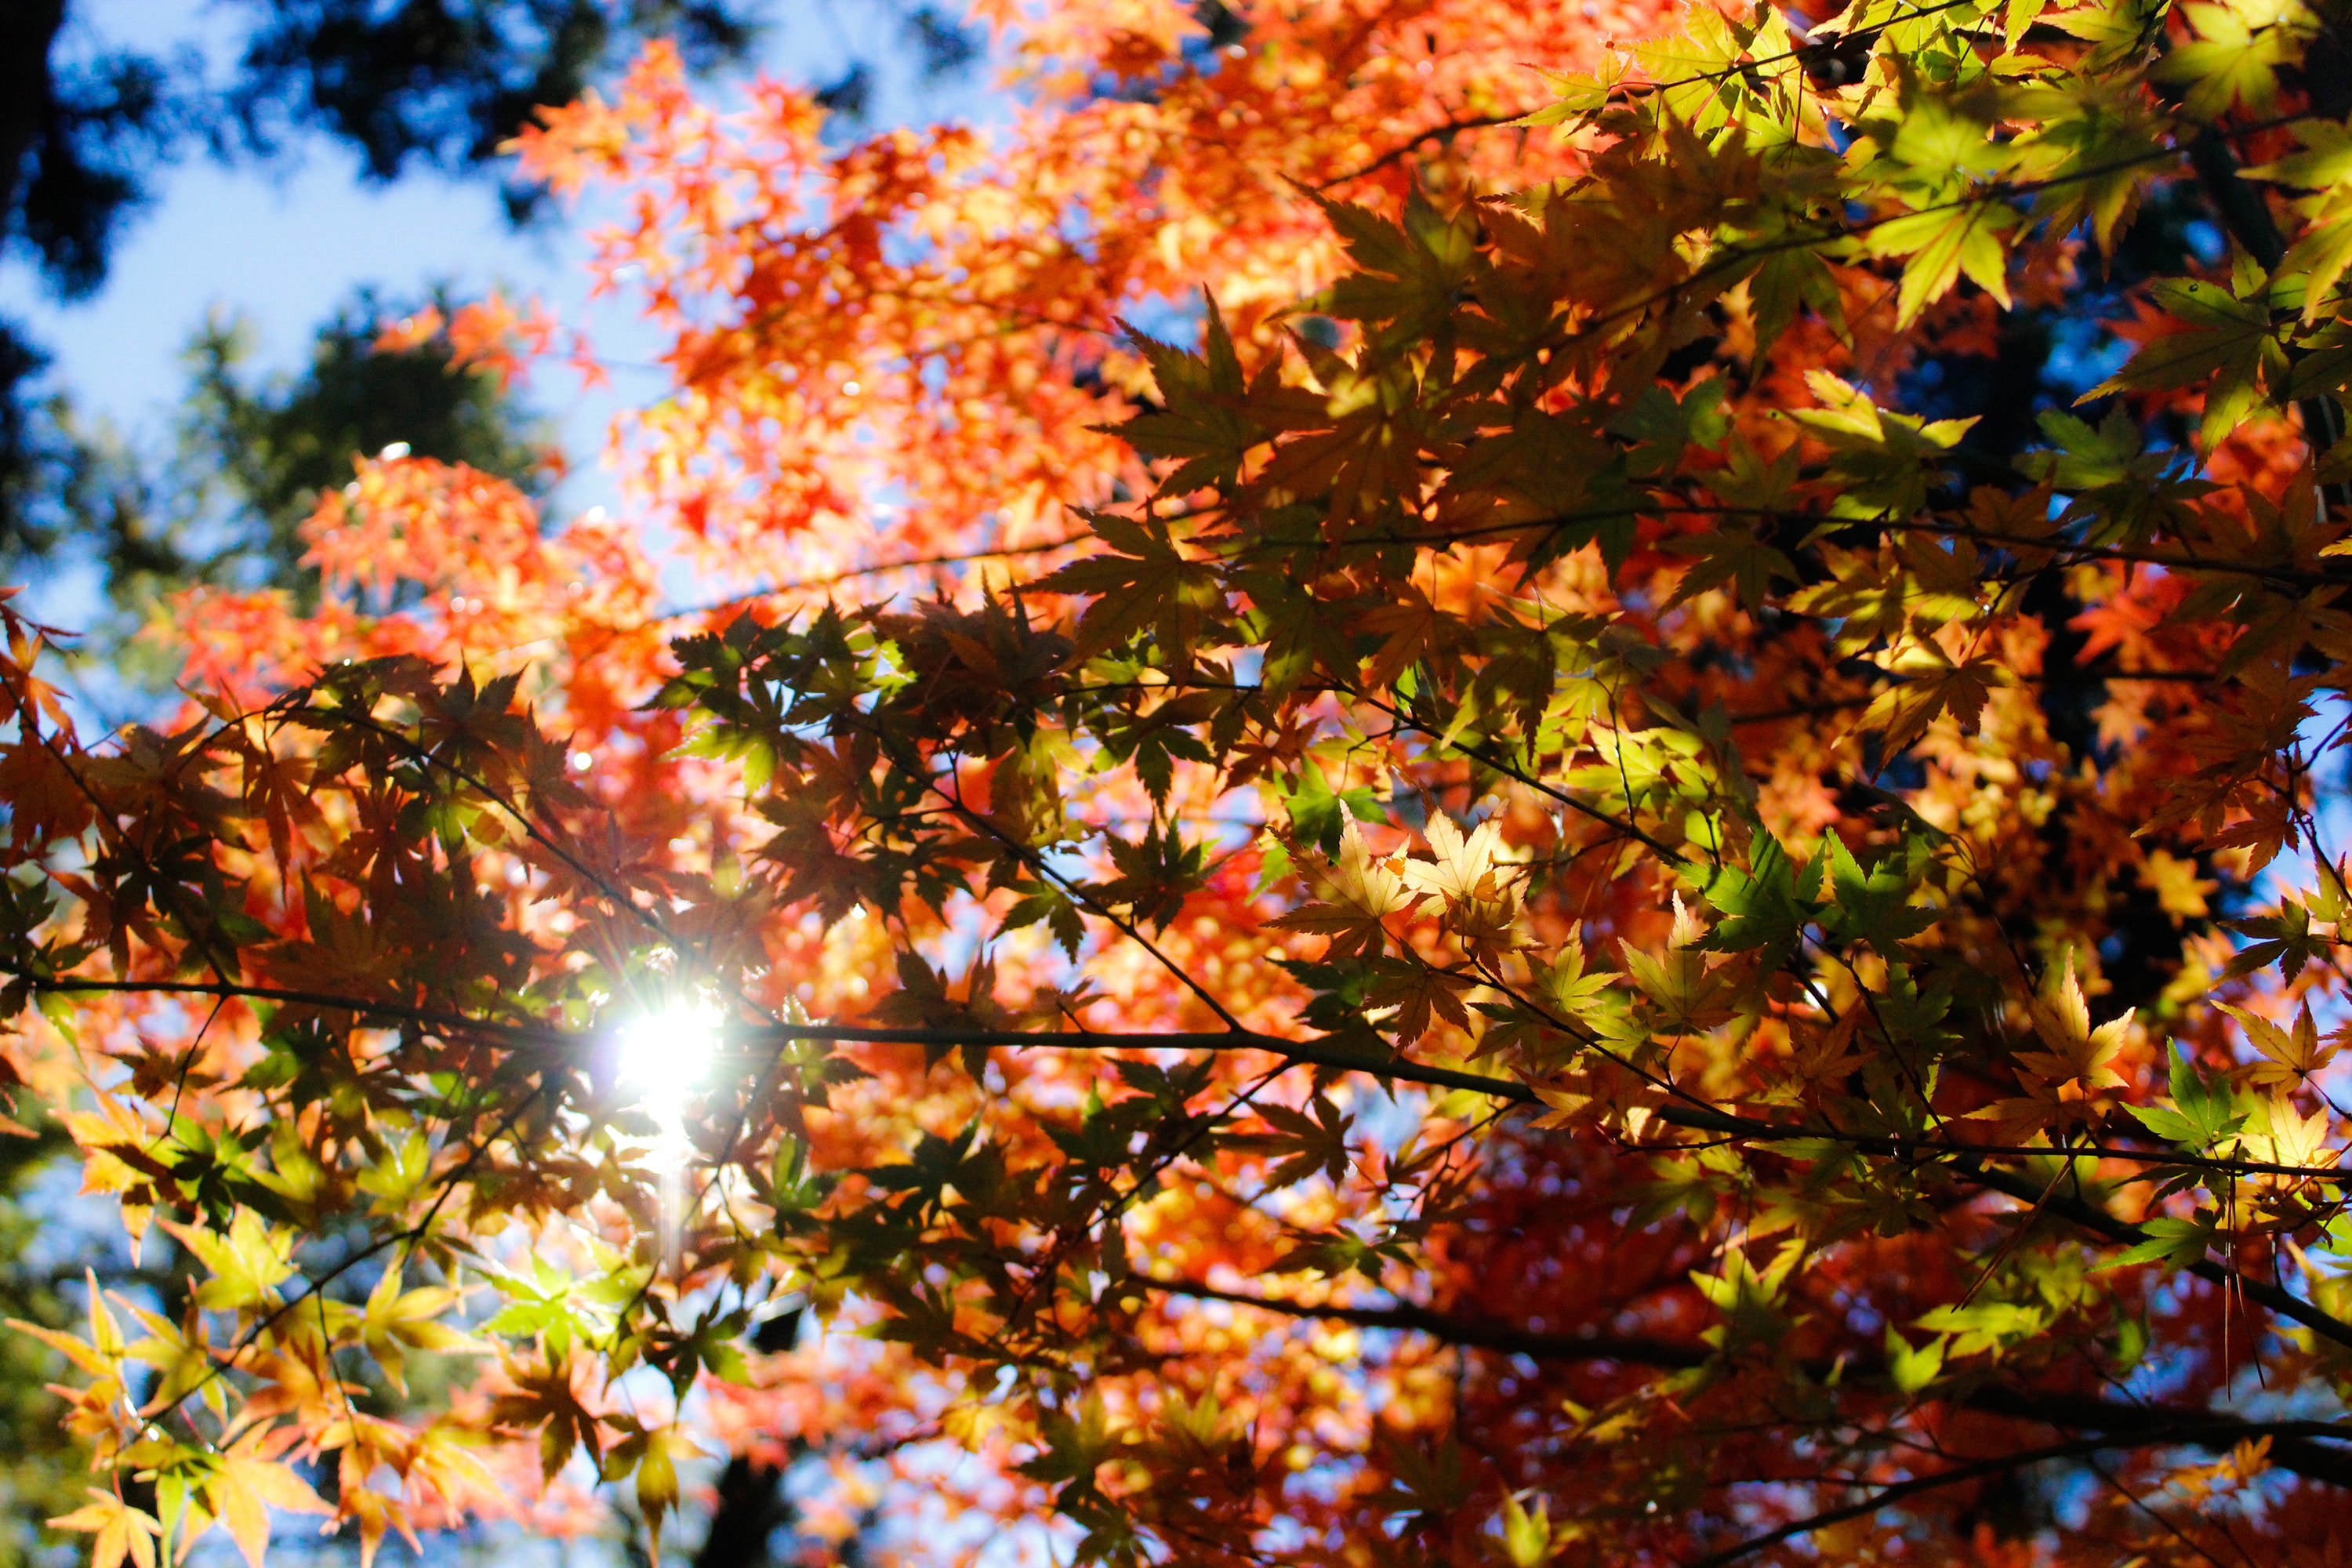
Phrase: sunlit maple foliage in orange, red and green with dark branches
(1528, 911)
